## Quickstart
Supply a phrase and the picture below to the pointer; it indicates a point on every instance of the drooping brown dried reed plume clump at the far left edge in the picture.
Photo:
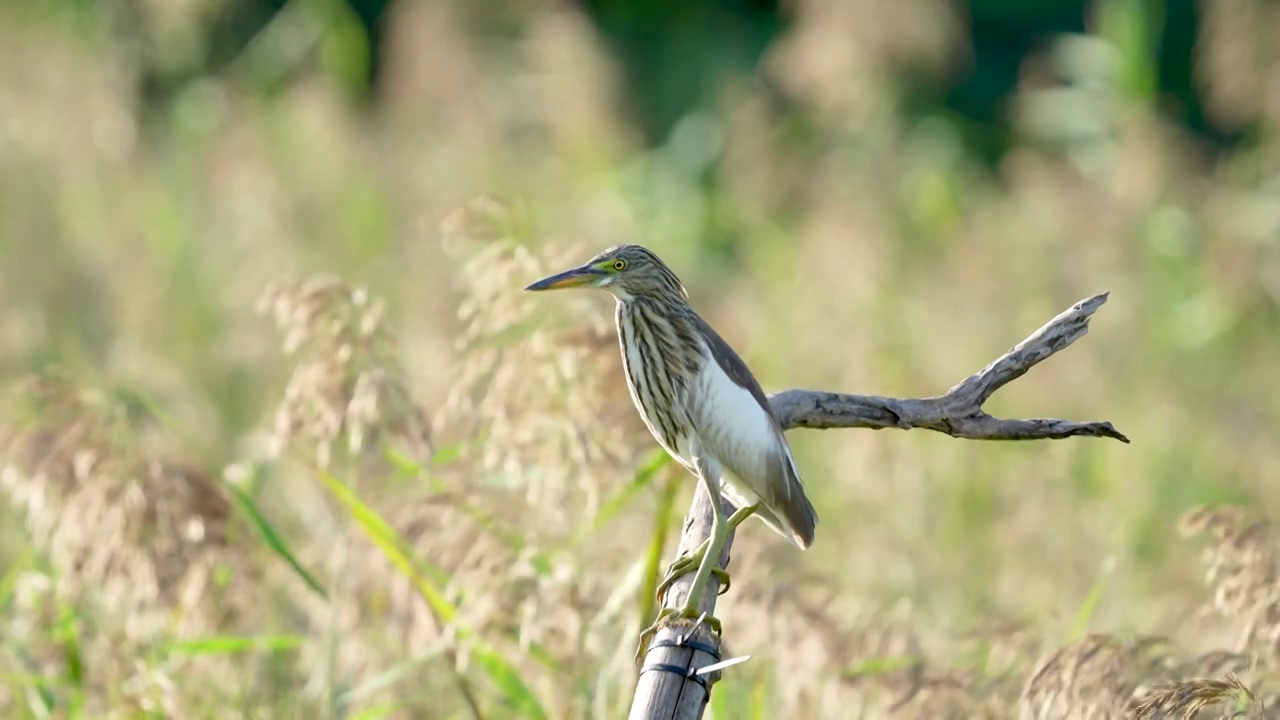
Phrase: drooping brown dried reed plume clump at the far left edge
(134, 541)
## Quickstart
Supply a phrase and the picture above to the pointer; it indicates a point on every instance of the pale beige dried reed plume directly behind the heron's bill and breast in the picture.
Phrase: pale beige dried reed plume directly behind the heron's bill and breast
(546, 391)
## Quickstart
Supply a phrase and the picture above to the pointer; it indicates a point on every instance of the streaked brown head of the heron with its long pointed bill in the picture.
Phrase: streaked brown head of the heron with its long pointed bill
(628, 272)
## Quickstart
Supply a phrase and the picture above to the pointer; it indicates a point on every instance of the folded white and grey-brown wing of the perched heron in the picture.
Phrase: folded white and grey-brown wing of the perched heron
(735, 423)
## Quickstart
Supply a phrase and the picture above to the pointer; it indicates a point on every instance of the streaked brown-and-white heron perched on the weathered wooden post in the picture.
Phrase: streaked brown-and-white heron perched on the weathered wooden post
(703, 407)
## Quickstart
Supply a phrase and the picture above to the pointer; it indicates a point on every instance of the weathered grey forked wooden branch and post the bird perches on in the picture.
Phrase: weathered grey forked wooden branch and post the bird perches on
(669, 689)
